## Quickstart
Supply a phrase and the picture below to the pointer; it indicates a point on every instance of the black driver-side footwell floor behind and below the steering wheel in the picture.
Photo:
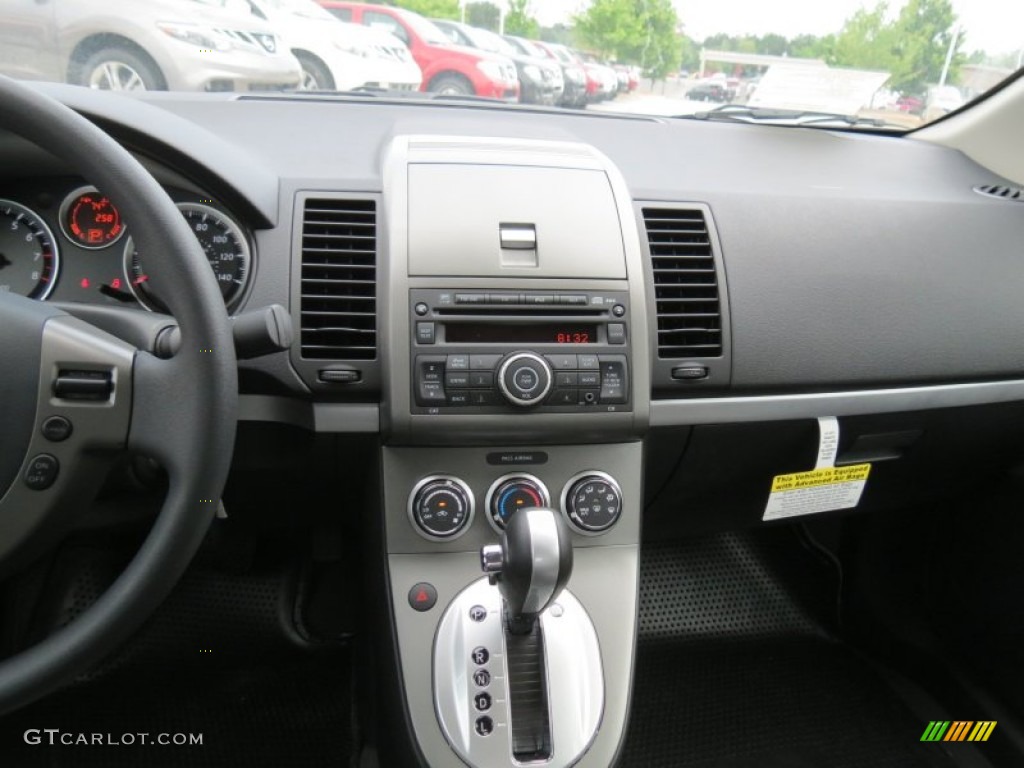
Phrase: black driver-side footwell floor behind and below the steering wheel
(221, 659)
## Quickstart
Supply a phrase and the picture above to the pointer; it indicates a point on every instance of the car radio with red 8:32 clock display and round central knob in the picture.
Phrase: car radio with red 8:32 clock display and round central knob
(500, 352)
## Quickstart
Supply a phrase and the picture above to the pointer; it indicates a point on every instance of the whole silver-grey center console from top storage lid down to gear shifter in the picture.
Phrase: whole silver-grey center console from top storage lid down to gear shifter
(517, 399)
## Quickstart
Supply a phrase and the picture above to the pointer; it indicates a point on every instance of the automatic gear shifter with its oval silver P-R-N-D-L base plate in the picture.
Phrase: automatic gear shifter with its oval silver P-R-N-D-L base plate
(518, 669)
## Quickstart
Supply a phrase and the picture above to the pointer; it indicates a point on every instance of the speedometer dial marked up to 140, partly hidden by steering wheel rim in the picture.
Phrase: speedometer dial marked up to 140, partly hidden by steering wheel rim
(224, 243)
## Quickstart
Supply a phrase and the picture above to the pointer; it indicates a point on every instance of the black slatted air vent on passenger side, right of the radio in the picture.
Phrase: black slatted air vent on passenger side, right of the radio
(690, 312)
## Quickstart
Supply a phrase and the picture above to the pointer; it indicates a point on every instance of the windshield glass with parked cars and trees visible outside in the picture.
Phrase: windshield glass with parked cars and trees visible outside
(899, 64)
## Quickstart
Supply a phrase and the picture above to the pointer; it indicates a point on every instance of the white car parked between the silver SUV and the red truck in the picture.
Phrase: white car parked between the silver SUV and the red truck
(336, 56)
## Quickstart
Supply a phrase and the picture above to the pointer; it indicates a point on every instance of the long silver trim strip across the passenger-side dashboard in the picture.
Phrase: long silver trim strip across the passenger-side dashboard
(813, 405)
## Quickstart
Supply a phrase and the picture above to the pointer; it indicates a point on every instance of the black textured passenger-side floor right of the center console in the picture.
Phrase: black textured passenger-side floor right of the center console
(738, 667)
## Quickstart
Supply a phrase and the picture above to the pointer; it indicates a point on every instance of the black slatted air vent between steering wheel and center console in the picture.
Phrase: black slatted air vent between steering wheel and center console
(339, 280)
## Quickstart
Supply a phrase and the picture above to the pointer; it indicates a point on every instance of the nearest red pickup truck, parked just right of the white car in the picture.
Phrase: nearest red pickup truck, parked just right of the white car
(447, 68)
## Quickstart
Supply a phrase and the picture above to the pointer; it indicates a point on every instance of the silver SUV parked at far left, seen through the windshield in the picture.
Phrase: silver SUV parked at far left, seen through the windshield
(144, 45)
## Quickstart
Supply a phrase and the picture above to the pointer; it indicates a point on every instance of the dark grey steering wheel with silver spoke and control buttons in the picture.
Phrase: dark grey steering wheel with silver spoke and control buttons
(181, 411)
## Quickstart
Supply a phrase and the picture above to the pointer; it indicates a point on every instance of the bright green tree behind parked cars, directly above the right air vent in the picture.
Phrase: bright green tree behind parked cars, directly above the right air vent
(641, 32)
